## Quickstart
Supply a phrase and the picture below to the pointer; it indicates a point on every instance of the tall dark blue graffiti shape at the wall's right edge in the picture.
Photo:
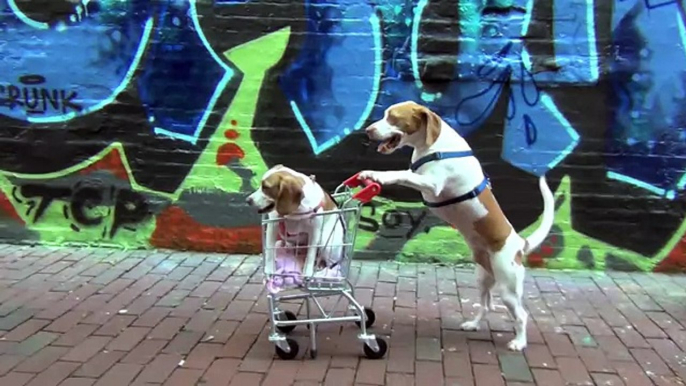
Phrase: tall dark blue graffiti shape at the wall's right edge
(646, 138)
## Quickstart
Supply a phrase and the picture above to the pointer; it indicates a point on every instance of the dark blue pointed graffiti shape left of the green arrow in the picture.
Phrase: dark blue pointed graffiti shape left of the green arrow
(181, 56)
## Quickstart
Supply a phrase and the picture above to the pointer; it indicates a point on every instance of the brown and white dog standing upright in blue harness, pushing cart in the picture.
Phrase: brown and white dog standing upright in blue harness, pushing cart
(457, 191)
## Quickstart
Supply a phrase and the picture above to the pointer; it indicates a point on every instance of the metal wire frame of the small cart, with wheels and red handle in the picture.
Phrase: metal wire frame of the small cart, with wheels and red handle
(312, 288)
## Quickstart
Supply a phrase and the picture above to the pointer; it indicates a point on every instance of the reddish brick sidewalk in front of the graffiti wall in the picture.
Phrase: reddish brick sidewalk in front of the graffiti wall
(103, 317)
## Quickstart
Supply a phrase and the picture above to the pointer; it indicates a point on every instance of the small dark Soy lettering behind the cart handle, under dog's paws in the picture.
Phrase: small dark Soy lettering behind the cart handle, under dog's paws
(391, 220)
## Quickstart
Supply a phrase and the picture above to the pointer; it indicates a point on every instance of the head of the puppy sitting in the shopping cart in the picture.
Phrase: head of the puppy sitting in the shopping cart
(281, 190)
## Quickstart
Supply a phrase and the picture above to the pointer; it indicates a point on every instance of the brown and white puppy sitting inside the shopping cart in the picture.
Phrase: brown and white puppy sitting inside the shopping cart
(297, 199)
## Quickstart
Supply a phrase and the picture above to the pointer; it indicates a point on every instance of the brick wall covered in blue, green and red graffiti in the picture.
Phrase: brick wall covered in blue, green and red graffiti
(138, 123)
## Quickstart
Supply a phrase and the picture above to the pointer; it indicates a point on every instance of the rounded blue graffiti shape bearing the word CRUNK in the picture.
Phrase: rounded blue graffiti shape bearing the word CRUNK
(81, 66)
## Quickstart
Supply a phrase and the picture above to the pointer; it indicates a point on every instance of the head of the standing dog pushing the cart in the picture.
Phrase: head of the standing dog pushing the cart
(405, 124)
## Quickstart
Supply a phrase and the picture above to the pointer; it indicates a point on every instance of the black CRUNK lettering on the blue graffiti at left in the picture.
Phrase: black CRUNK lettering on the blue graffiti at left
(37, 100)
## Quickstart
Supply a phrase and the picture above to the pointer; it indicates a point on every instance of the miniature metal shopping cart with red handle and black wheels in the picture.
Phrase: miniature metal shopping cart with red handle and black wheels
(313, 283)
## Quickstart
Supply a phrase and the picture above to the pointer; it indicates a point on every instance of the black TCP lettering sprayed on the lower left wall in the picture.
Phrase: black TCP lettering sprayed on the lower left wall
(129, 207)
